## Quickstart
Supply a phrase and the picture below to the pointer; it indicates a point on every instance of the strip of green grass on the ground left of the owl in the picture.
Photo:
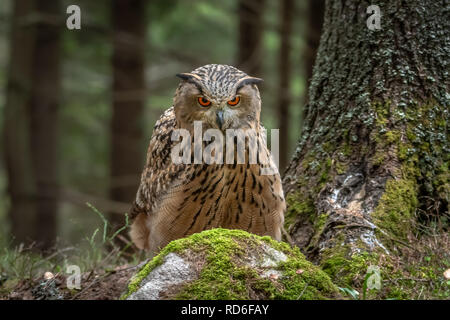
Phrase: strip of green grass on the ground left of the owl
(99, 253)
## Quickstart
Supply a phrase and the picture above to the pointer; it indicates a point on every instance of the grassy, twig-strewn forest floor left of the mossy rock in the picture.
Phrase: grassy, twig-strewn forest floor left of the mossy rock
(106, 261)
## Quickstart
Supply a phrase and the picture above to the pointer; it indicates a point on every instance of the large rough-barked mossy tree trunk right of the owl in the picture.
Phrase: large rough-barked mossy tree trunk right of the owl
(374, 152)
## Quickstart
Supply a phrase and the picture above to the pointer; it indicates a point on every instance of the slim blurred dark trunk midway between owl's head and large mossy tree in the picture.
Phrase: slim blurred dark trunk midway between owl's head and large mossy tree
(284, 64)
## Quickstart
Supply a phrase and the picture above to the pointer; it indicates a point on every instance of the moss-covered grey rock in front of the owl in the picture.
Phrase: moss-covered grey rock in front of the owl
(222, 264)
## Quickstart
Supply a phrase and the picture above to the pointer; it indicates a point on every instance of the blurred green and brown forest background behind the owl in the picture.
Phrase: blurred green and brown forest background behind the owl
(77, 107)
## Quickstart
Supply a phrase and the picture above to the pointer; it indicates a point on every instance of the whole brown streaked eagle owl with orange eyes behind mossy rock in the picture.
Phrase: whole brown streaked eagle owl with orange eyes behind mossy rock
(175, 199)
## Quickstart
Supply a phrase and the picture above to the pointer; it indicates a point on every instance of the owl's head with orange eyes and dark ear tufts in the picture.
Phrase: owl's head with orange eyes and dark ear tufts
(220, 96)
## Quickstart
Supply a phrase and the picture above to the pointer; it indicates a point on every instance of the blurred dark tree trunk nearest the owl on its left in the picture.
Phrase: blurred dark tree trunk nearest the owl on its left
(128, 18)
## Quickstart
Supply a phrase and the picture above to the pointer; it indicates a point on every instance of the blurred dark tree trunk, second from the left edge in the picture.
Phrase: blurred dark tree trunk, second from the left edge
(44, 105)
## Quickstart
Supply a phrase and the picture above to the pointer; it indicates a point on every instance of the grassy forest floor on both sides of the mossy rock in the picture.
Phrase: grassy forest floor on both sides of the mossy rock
(420, 269)
